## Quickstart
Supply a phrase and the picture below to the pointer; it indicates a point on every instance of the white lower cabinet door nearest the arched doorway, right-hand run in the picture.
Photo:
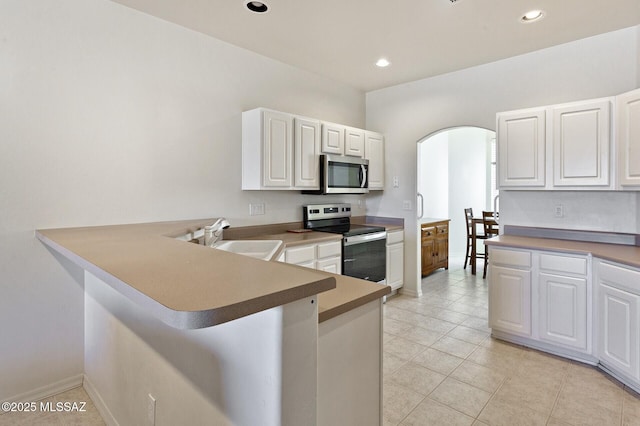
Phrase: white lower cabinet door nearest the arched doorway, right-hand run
(510, 300)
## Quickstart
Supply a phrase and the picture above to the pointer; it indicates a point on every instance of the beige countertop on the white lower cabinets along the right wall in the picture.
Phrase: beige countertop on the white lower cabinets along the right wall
(624, 254)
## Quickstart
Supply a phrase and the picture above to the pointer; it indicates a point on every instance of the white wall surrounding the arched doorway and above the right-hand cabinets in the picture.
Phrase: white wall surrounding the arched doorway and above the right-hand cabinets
(594, 67)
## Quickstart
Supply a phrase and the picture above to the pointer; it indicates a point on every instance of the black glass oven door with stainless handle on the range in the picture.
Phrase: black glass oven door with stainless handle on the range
(365, 256)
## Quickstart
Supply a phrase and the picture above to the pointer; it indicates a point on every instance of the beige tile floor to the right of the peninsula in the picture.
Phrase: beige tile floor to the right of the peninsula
(441, 367)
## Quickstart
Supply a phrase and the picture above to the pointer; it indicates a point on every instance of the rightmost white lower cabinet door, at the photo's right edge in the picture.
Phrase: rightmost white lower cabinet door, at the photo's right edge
(618, 331)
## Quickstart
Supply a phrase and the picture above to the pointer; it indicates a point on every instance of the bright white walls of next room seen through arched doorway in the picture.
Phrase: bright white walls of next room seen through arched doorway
(455, 170)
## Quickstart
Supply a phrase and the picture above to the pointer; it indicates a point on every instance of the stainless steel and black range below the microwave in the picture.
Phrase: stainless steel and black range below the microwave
(364, 251)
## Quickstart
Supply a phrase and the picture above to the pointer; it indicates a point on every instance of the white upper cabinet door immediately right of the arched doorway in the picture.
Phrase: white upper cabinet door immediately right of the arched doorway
(521, 148)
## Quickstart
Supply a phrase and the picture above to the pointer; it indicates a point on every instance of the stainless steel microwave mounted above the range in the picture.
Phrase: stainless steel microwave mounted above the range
(343, 175)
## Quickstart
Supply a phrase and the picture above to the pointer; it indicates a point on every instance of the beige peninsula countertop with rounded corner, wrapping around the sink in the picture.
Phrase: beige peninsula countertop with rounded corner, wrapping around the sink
(188, 285)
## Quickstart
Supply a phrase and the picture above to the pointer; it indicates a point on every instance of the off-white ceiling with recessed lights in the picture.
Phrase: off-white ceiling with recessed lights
(342, 39)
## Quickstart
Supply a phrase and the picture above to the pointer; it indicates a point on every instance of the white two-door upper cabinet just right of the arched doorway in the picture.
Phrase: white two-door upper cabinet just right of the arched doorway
(560, 147)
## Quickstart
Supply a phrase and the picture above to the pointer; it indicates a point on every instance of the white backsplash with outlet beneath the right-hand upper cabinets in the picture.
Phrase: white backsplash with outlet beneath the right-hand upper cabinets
(584, 210)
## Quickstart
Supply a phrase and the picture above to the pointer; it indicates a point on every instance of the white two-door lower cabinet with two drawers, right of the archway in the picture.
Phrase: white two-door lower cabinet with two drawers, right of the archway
(544, 297)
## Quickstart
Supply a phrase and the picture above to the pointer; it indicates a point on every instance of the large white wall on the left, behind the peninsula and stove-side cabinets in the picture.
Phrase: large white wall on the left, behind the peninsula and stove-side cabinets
(112, 116)
